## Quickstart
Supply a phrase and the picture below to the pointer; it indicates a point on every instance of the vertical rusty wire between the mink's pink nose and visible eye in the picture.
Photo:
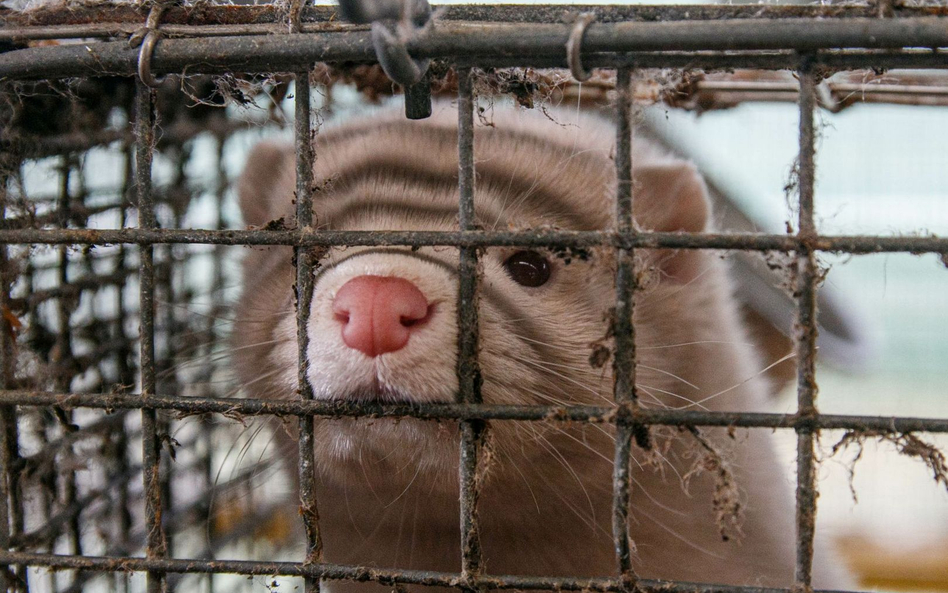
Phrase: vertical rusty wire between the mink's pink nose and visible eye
(468, 370)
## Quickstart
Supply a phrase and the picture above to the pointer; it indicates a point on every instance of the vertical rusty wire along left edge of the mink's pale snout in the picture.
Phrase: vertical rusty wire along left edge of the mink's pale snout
(304, 296)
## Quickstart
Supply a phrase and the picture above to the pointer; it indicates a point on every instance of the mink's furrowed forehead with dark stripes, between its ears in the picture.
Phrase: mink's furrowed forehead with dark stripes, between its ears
(522, 180)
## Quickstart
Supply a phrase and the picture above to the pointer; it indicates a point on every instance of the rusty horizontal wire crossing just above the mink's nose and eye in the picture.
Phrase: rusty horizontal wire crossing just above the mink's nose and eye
(858, 244)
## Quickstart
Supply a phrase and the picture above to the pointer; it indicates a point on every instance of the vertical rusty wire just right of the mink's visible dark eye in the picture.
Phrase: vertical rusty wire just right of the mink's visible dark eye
(624, 330)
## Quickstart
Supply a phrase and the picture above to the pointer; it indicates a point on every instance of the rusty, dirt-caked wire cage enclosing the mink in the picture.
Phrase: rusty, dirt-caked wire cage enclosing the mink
(114, 255)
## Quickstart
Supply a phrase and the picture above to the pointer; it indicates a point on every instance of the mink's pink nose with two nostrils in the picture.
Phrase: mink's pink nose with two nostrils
(379, 313)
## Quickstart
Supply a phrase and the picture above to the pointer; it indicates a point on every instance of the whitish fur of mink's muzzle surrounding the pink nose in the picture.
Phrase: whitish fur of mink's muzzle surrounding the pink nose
(422, 371)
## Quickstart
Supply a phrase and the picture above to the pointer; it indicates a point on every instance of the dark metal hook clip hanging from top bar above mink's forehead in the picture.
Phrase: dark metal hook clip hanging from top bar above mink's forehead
(394, 22)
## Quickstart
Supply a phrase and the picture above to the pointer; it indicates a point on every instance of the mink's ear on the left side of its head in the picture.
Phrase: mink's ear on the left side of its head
(265, 189)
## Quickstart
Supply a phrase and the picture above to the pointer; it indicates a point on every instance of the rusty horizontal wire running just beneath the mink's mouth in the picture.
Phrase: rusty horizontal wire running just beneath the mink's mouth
(235, 407)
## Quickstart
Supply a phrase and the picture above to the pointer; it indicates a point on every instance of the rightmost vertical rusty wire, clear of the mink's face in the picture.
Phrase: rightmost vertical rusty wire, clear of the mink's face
(806, 333)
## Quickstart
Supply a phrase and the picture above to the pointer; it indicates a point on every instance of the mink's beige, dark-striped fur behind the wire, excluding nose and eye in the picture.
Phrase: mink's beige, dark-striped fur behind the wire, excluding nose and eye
(388, 489)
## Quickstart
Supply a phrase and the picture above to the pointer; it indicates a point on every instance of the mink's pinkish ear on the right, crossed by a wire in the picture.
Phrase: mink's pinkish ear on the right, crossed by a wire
(672, 197)
